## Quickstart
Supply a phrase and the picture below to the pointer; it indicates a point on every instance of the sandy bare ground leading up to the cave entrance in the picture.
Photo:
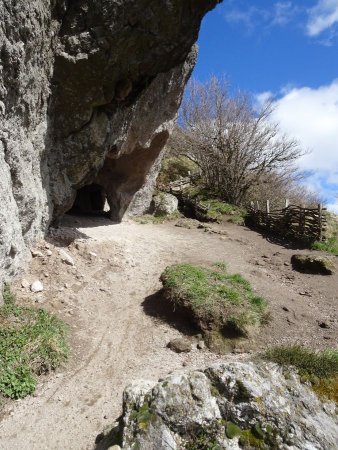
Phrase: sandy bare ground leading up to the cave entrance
(109, 300)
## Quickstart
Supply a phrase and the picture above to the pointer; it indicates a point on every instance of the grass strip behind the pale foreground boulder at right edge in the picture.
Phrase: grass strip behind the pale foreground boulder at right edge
(318, 368)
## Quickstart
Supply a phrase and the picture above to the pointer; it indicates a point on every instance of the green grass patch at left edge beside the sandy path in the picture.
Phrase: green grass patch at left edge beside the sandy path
(32, 342)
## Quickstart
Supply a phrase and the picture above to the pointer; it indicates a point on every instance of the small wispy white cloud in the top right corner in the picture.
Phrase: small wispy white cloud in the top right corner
(322, 17)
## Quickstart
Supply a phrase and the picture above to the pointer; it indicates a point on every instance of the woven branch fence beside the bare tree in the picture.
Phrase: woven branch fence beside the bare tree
(292, 221)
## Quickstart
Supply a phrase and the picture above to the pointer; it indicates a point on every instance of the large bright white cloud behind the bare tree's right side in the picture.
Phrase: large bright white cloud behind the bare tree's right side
(311, 116)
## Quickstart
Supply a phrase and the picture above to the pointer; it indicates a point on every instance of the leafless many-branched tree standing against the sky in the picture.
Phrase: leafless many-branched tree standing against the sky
(235, 144)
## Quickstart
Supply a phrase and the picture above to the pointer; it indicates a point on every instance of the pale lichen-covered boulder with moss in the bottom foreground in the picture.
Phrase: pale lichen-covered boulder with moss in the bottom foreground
(227, 406)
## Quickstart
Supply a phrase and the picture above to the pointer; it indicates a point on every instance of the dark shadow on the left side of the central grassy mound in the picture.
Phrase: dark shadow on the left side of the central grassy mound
(161, 309)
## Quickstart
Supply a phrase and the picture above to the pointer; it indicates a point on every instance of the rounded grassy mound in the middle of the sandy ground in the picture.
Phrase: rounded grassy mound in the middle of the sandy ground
(216, 300)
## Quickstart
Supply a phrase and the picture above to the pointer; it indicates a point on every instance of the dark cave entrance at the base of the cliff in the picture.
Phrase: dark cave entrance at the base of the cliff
(91, 200)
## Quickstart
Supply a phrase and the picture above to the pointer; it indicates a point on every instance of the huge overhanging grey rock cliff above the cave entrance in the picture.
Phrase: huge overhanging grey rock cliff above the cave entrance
(88, 93)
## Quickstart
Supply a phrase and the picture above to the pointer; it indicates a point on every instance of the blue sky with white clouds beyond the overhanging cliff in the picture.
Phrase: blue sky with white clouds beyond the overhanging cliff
(287, 50)
